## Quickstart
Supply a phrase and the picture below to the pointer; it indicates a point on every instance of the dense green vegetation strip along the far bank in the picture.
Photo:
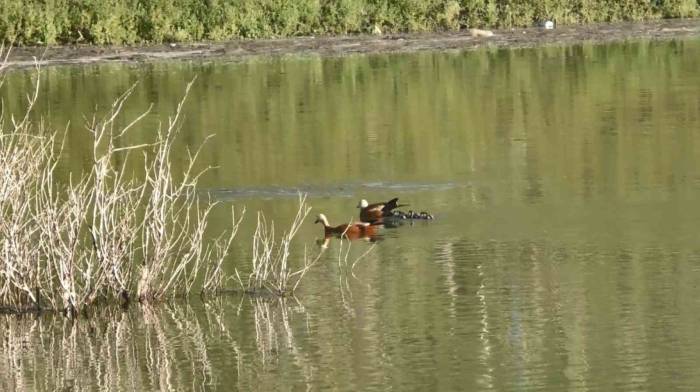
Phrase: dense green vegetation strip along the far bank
(27, 22)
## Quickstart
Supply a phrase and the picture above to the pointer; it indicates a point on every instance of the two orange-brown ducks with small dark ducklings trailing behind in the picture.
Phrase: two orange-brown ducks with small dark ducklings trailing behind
(371, 217)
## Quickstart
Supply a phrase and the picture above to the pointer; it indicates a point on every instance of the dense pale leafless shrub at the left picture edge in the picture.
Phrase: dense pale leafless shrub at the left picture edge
(25, 157)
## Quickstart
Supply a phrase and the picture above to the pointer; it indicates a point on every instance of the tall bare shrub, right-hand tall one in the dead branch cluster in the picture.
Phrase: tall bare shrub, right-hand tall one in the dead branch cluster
(173, 246)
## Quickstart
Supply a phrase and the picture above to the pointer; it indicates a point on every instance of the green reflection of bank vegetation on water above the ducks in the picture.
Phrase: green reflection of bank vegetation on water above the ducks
(552, 113)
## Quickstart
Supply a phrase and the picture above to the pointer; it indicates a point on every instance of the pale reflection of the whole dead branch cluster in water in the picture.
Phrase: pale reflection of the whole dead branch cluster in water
(149, 348)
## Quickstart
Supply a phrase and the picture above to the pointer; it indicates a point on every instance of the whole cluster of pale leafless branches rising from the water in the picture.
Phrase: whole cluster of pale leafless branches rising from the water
(107, 233)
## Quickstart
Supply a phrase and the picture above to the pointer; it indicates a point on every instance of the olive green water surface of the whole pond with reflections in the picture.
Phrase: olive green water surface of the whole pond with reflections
(564, 254)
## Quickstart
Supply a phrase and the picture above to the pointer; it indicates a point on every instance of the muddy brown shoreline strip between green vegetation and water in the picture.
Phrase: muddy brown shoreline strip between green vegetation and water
(339, 46)
